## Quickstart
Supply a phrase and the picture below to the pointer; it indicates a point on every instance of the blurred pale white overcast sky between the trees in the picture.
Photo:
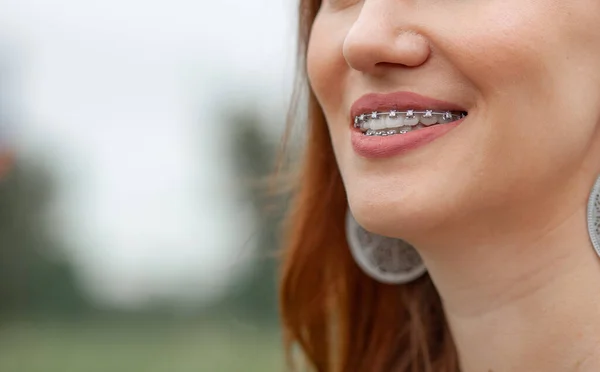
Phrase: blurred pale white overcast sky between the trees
(115, 89)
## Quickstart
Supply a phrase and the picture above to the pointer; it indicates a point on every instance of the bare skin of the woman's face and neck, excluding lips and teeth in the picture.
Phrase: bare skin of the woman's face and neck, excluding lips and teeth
(497, 206)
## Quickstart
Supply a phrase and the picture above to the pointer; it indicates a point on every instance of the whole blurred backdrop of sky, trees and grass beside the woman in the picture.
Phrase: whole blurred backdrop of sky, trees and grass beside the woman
(133, 232)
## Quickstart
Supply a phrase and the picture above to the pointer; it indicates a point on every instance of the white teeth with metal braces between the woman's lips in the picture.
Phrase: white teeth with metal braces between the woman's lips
(393, 122)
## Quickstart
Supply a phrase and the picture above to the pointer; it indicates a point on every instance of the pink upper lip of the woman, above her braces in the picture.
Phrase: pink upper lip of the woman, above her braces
(400, 101)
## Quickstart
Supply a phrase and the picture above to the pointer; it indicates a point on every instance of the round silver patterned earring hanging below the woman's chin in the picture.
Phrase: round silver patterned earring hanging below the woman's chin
(387, 260)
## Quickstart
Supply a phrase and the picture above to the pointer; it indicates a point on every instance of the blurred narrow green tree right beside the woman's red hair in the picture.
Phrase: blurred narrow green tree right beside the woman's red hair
(254, 299)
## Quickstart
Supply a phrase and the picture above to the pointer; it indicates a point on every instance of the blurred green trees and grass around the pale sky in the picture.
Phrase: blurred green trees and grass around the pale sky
(47, 323)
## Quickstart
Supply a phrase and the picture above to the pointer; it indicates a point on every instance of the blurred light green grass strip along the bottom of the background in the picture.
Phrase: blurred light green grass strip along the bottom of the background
(149, 347)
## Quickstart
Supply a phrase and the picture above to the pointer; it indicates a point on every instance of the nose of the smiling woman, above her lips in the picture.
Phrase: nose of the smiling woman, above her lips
(378, 38)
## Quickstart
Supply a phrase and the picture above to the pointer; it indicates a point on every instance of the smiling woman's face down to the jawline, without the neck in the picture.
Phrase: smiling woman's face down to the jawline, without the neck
(526, 72)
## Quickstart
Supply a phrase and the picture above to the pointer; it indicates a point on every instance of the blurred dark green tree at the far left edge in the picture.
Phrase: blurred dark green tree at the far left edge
(34, 279)
